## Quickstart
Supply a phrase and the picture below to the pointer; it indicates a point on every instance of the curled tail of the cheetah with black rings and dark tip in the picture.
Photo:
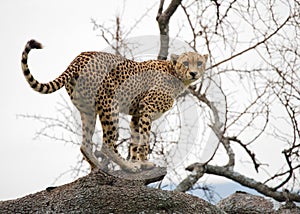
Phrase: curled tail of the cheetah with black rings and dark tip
(44, 88)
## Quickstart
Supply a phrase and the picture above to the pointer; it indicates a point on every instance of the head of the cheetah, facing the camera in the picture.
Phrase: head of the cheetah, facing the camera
(189, 66)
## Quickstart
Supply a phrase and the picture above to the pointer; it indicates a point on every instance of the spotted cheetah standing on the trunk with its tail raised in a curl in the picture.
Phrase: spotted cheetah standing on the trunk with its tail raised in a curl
(104, 85)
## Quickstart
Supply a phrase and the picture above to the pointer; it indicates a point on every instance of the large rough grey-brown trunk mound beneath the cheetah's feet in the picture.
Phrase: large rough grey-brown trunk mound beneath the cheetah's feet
(99, 192)
